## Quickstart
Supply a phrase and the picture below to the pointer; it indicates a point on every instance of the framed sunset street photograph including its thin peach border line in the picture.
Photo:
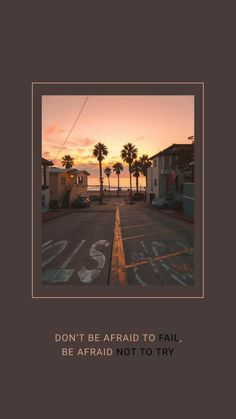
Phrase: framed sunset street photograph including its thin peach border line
(117, 190)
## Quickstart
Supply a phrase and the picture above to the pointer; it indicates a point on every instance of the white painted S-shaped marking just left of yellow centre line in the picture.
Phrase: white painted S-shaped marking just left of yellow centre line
(88, 275)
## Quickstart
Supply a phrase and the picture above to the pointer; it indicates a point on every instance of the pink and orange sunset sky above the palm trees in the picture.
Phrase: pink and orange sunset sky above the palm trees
(152, 123)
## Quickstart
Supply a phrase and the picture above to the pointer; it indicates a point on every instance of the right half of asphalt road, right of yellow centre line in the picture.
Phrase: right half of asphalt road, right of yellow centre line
(159, 249)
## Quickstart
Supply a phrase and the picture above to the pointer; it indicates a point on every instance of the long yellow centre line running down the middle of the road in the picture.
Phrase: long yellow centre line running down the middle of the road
(118, 271)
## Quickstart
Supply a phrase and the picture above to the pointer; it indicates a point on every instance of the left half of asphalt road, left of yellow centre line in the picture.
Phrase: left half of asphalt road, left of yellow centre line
(77, 247)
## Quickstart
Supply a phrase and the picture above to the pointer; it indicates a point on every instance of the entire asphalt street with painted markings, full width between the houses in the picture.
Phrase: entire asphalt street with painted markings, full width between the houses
(152, 248)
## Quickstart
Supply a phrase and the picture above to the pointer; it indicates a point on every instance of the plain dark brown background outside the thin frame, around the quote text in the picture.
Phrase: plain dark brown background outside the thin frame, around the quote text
(181, 41)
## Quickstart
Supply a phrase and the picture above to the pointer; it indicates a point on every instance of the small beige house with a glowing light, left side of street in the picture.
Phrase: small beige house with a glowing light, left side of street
(66, 185)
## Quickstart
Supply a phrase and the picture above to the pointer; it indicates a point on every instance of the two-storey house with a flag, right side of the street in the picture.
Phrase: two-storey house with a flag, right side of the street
(172, 169)
